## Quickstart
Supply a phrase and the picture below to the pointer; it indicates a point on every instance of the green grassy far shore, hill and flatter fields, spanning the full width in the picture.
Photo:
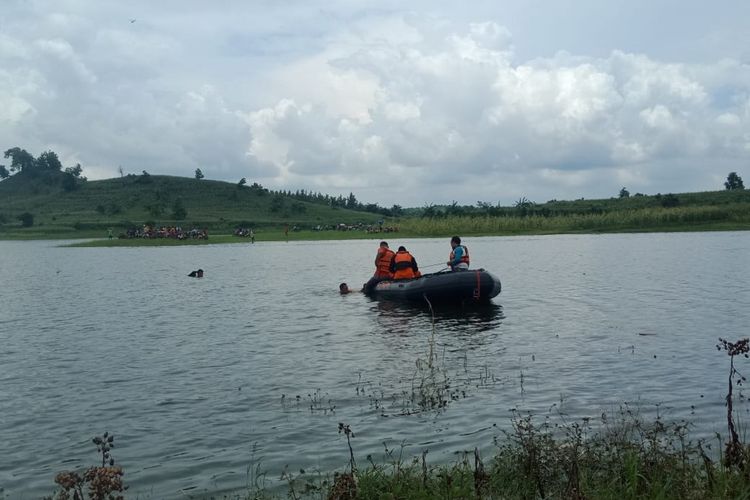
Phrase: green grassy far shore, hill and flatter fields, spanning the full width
(93, 207)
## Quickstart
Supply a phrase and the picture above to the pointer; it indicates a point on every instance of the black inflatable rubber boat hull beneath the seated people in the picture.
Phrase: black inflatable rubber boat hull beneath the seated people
(476, 285)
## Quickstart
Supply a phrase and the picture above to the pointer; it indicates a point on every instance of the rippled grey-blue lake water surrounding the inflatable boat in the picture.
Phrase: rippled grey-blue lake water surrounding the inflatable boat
(202, 380)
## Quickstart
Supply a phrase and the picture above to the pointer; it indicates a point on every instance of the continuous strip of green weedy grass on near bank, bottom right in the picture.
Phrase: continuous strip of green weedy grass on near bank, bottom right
(622, 456)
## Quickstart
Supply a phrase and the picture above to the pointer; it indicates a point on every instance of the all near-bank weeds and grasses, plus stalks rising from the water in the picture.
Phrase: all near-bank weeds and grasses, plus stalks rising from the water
(620, 456)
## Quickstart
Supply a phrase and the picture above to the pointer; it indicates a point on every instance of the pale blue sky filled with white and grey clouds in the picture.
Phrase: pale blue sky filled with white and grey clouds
(399, 102)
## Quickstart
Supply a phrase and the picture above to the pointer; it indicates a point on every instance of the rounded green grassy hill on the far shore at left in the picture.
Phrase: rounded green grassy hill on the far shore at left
(131, 201)
